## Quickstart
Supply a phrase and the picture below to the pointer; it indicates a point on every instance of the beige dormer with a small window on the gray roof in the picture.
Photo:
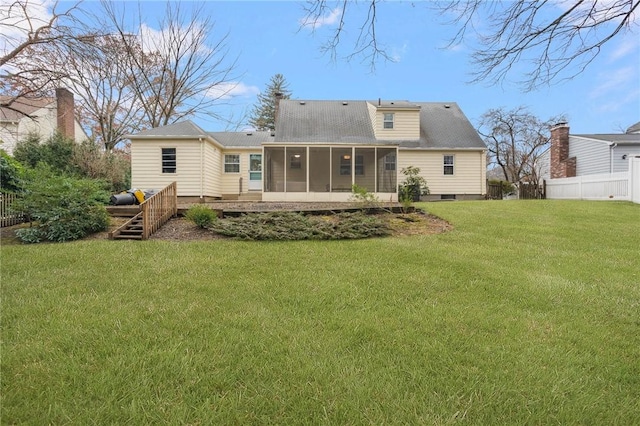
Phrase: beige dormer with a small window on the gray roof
(395, 120)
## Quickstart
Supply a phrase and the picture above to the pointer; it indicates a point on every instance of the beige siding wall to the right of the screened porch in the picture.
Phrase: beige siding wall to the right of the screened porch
(469, 170)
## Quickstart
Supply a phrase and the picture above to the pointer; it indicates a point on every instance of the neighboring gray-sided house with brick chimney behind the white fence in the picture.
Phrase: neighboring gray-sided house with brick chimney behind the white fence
(588, 154)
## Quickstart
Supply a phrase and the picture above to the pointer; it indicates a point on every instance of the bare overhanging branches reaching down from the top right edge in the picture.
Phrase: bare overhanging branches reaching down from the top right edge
(552, 40)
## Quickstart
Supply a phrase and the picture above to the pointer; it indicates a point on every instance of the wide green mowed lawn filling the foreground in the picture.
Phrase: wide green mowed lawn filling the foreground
(526, 313)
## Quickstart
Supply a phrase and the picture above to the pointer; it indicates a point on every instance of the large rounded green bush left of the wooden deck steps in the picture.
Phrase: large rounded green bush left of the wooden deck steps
(63, 208)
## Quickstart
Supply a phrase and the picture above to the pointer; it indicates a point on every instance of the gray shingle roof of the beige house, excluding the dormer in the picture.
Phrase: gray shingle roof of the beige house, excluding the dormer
(442, 126)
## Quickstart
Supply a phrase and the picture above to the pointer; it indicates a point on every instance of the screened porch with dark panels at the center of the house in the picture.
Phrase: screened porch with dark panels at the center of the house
(294, 172)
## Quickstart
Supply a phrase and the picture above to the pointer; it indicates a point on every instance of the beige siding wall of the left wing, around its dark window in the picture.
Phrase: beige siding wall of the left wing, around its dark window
(146, 166)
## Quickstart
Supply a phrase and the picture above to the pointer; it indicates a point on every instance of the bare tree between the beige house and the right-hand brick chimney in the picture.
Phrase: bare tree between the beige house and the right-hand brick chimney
(515, 139)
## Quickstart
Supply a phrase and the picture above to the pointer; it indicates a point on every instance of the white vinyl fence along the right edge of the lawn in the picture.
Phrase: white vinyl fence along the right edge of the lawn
(609, 186)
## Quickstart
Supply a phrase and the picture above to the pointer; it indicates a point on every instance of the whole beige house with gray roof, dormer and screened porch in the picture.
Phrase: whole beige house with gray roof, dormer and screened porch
(317, 152)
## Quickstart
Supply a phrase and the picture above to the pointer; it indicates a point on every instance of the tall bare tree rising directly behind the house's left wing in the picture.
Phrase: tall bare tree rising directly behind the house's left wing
(181, 70)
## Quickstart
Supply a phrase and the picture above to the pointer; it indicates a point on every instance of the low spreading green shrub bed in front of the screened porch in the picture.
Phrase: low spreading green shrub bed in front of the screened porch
(297, 226)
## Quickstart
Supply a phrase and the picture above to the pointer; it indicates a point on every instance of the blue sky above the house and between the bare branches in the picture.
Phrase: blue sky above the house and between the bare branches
(268, 39)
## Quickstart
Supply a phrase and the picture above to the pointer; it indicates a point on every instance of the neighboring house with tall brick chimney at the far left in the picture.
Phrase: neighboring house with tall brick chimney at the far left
(42, 116)
